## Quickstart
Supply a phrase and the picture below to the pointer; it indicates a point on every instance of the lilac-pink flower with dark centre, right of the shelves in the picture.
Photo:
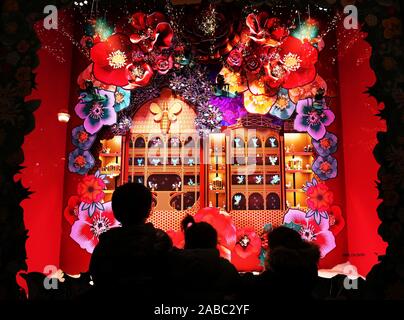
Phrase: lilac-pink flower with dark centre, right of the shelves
(313, 118)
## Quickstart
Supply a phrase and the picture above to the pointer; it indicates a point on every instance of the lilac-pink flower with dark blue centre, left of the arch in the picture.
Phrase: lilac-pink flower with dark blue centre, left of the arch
(97, 109)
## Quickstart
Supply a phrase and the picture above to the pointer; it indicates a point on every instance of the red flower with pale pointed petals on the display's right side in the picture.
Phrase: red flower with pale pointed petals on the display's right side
(319, 200)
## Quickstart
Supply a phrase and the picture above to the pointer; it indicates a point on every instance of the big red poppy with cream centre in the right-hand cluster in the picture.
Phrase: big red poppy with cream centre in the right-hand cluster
(292, 63)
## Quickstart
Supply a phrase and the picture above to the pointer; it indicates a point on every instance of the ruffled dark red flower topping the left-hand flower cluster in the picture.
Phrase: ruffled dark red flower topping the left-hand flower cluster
(151, 31)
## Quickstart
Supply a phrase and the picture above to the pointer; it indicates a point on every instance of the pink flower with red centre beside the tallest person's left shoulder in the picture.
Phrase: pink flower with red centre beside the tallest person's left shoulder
(87, 230)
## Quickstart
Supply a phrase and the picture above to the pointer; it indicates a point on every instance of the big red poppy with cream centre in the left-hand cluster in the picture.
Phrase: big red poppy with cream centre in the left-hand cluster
(111, 58)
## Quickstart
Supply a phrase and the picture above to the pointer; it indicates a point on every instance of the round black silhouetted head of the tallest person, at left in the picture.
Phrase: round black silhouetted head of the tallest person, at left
(131, 203)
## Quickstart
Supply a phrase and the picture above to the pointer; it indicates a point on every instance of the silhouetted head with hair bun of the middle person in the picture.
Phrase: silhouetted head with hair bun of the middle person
(198, 235)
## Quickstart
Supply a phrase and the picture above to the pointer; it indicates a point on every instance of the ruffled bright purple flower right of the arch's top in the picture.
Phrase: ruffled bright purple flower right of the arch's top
(231, 108)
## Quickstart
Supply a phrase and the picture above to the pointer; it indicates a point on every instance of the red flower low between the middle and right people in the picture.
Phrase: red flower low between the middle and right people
(245, 255)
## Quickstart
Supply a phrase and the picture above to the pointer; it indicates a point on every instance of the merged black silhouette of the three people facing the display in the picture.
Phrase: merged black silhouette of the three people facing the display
(138, 261)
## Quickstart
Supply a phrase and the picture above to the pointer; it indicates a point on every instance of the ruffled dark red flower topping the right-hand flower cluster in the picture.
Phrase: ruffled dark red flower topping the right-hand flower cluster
(264, 30)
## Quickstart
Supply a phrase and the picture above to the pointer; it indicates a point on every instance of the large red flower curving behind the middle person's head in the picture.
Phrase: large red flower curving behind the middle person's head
(223, 224)
